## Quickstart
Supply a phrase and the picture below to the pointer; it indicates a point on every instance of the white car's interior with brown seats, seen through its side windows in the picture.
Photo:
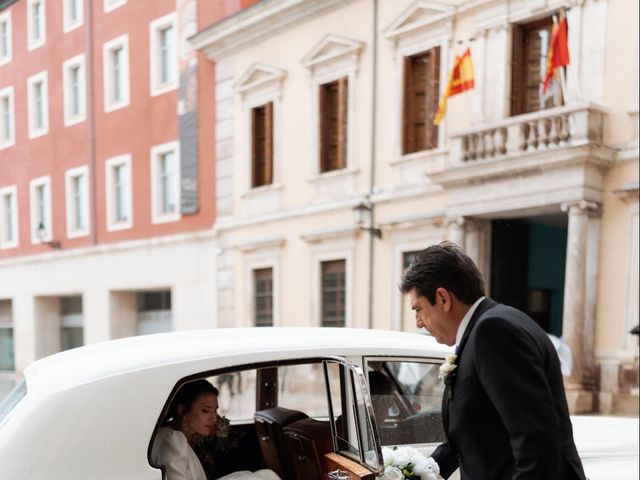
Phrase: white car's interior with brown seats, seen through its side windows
(304, 419)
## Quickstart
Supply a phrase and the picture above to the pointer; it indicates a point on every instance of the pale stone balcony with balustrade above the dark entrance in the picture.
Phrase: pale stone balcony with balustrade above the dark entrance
(538, 161)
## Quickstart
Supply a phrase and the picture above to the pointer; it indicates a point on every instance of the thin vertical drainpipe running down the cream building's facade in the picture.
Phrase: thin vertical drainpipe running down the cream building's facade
(372, 159)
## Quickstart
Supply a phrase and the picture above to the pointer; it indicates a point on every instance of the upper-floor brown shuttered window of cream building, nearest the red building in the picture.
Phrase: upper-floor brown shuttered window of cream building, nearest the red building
(262, 145)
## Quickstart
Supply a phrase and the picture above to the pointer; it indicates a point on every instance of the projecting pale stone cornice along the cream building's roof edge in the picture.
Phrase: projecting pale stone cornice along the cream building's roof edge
(256, 23)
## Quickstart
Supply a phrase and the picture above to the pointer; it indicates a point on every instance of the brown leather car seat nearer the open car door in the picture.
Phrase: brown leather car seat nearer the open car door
(307, 442)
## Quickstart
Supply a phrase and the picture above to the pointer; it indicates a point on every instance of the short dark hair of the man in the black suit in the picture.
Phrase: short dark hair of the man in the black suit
(444, 266)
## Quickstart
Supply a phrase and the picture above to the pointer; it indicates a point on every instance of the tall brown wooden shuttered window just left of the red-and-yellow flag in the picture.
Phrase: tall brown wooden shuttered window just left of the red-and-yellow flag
(421, 93)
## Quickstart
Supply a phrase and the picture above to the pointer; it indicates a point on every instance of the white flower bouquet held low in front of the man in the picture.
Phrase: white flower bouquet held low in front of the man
(407, 463)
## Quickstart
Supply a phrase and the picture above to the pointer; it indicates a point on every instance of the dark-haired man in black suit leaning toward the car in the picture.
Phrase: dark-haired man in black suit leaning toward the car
(504, 410)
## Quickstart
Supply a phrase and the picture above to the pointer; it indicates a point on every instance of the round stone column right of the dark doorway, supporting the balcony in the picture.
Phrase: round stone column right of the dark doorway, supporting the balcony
(580, 394)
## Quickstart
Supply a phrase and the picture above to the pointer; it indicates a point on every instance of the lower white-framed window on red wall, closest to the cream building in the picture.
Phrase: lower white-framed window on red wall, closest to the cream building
(165, 178)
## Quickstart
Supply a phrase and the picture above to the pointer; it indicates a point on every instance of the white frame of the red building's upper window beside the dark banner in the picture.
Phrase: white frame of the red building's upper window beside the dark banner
(157, 86)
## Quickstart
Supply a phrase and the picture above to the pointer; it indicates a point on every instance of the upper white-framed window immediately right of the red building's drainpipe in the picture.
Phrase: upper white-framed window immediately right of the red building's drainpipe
(116, 73)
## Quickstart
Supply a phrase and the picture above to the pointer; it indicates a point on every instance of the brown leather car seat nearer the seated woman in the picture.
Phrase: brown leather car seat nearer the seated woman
(269, 424)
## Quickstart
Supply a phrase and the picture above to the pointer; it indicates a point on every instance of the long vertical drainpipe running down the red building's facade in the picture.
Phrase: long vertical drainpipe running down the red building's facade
(91, 128)
